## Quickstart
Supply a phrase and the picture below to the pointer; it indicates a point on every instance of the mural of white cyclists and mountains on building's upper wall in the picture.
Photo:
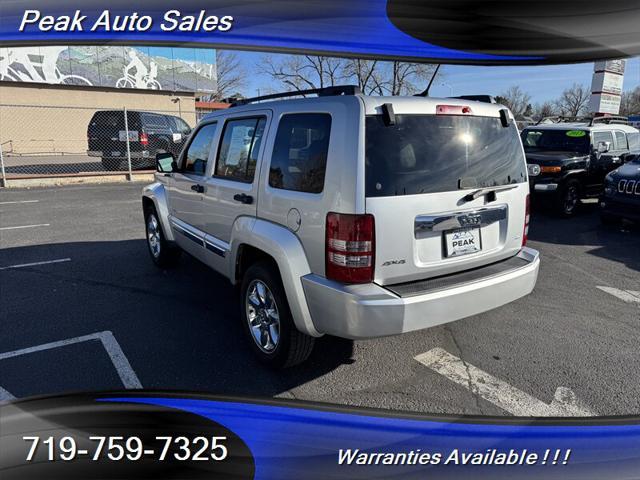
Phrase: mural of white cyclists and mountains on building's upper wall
(152, 68)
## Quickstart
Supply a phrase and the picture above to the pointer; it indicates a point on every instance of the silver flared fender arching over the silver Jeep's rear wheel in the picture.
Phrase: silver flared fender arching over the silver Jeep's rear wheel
(285, 248)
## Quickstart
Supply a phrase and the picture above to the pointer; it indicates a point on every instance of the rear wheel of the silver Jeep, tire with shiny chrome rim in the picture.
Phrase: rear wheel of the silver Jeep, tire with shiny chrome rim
(274, 339)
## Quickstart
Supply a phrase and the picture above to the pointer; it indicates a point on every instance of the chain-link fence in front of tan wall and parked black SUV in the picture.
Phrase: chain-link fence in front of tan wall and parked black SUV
(38, 141)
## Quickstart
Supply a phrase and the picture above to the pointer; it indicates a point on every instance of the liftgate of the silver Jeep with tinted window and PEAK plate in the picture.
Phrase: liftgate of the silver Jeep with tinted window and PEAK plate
(419, 176)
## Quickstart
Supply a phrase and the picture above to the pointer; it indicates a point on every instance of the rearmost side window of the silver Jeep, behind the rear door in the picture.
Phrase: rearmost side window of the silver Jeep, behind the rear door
(299, 159)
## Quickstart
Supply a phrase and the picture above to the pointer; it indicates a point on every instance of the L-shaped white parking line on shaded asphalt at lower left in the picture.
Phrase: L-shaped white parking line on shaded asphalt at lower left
(120, 362)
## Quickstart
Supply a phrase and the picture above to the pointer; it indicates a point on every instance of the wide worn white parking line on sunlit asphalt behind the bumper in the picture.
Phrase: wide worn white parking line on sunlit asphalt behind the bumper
(499, 392)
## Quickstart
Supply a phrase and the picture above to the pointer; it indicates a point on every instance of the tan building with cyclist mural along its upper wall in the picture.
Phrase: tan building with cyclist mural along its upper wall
(48, 94)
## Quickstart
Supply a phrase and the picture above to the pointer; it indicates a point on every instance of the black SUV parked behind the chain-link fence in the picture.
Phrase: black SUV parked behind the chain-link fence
(149, 134)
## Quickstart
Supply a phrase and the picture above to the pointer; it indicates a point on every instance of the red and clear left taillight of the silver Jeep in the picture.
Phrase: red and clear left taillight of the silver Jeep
(350, 248)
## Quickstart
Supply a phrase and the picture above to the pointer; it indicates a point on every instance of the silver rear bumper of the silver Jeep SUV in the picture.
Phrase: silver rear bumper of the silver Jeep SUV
(369, 310)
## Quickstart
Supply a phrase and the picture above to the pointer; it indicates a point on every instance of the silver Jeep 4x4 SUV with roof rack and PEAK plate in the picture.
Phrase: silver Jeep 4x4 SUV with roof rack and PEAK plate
(349, 215)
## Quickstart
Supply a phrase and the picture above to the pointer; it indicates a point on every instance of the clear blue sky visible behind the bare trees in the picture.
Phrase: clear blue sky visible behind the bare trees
(541, 82)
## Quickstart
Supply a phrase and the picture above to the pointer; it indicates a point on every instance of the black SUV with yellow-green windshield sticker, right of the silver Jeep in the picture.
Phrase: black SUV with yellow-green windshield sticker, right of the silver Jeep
(569, 161)
